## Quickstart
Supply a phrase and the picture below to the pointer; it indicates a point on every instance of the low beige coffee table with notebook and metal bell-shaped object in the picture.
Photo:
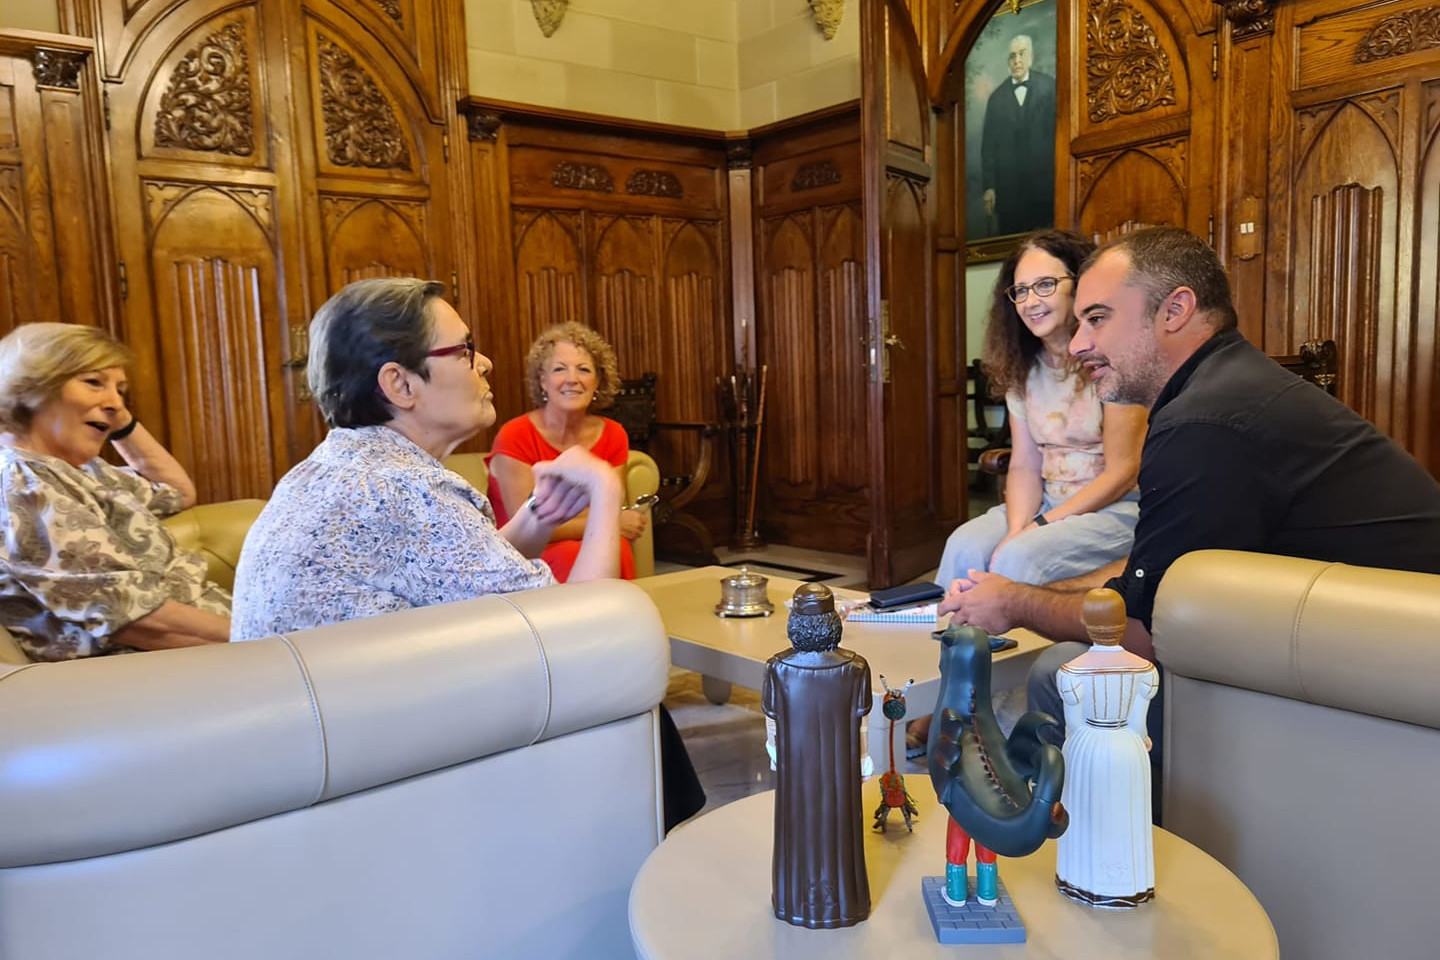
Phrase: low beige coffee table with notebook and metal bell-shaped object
(735, 651)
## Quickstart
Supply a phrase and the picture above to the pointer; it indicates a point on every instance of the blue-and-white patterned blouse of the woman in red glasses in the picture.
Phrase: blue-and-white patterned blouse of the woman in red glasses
(369, 523)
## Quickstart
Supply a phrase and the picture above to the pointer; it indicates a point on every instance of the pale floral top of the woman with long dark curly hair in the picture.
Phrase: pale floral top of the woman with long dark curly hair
(1063, 415)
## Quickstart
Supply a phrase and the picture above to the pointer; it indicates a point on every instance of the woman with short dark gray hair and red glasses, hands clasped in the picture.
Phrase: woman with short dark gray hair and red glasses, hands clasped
(372, 520)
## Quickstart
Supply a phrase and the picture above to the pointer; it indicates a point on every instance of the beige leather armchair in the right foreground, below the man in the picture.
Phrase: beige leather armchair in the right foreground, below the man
(1302, 743)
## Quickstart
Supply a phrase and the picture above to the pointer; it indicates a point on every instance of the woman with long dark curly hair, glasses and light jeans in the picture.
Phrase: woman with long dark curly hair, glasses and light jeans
(1071, 499)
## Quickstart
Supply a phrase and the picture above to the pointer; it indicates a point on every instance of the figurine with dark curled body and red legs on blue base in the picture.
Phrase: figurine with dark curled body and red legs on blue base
(1004, 795)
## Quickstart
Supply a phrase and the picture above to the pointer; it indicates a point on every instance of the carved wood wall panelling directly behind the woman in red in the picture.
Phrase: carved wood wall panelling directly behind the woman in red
(620, 227)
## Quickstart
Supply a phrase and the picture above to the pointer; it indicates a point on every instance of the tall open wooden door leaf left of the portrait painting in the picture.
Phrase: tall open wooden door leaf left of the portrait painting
(906, 530)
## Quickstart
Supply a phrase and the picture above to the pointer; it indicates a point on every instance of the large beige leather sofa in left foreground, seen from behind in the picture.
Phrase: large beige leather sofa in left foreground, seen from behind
(469, 781)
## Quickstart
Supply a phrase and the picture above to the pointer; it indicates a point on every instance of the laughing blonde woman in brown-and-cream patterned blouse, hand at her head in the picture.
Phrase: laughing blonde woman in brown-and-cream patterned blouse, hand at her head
(87, 568)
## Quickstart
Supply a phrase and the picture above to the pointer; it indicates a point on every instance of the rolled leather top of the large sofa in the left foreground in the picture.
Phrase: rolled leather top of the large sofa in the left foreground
(155, 748)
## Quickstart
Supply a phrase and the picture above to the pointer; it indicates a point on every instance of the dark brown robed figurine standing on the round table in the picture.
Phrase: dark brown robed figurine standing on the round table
(817, 694)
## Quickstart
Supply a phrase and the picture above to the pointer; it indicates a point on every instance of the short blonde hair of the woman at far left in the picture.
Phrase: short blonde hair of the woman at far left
(37, 361)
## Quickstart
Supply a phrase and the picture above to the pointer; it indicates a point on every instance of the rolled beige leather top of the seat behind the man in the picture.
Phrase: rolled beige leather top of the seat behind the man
(1353, 638)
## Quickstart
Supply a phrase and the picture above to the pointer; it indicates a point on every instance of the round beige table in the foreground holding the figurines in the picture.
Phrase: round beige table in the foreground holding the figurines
(706, 893)
